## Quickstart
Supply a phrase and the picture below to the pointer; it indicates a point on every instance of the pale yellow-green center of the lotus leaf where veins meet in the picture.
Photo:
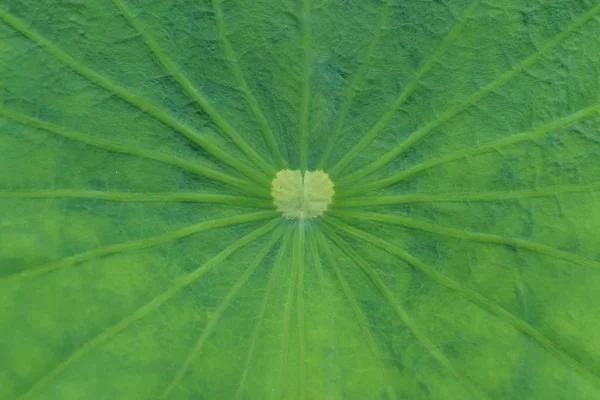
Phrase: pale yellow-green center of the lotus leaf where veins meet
(302, 197)
